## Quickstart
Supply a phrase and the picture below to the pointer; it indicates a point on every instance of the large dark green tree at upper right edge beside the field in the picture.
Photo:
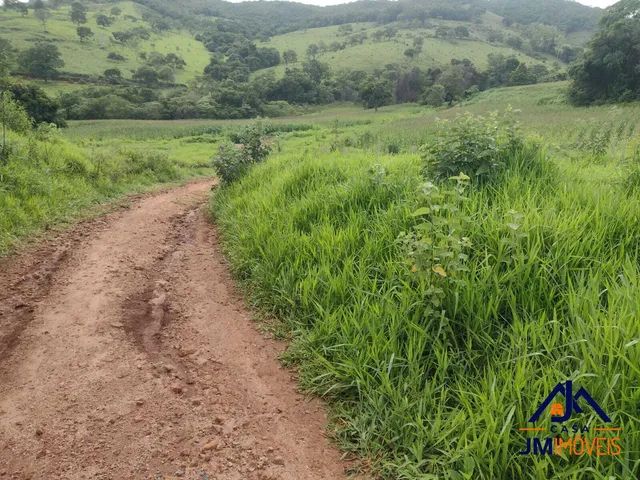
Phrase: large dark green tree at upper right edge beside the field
(609, 70)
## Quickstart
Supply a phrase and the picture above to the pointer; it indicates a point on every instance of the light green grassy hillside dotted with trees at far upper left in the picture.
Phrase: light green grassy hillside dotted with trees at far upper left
(90, 57)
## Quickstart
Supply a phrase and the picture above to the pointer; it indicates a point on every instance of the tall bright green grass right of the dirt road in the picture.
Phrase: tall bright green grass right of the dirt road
(550, 294)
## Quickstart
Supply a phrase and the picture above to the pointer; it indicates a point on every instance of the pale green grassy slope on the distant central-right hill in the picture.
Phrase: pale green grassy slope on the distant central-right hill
(372, 54)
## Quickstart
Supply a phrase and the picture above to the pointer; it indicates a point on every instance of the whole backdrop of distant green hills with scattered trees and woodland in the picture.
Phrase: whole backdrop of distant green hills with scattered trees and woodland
(159, 59)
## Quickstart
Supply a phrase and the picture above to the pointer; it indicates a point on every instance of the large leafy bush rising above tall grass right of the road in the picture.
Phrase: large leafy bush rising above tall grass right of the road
(478, 146)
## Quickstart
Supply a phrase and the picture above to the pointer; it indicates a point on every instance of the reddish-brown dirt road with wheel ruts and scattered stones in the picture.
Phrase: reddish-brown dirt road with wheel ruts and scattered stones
(125, 353)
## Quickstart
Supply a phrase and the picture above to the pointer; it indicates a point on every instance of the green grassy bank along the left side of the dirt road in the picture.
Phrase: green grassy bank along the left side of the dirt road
(47, 180)
